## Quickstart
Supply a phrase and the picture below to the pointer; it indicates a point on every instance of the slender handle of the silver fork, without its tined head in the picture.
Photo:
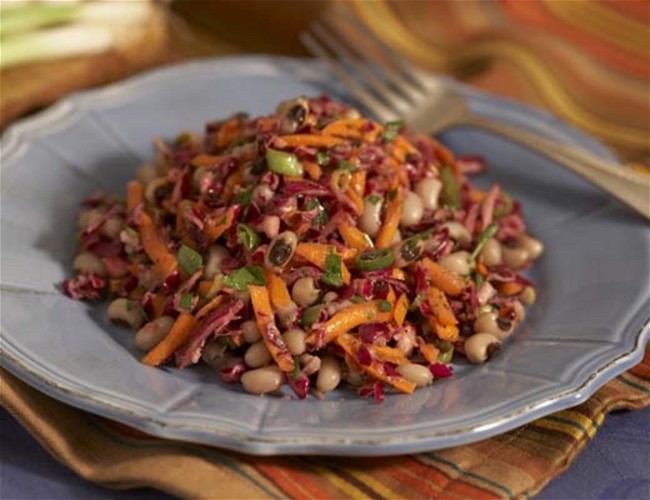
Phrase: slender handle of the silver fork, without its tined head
(629, 187)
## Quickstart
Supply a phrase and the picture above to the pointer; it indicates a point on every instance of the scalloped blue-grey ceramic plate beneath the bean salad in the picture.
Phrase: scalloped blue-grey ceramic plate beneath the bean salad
(587, 326)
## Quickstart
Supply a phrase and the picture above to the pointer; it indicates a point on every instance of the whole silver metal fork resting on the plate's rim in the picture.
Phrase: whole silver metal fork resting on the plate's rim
(392, 88)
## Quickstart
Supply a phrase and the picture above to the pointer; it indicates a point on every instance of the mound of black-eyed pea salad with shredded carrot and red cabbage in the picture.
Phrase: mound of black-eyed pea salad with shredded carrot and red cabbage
(308, 247)
